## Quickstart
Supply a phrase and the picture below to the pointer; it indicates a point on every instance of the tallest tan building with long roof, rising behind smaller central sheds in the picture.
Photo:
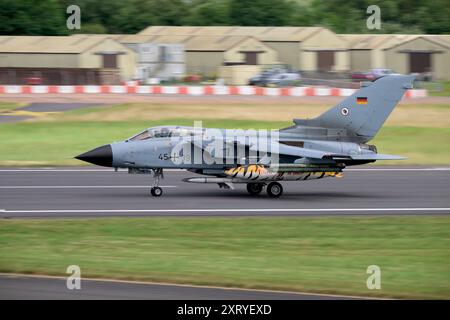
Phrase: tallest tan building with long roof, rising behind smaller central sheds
(308, 49)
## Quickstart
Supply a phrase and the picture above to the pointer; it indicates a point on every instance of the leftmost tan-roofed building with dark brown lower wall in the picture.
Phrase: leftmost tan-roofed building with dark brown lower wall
(65, 60)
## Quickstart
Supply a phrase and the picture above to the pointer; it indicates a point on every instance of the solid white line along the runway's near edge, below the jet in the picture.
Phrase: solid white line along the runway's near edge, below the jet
(229, 210)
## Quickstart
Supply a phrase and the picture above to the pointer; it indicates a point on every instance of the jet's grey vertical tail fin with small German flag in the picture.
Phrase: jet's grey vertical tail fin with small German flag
(363, 113)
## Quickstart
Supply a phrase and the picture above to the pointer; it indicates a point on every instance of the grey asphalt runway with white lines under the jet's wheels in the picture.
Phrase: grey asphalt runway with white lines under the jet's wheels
(89, 192)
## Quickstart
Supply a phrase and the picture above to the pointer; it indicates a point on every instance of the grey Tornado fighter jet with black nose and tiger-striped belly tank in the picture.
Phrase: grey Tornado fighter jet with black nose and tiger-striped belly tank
(309, 149)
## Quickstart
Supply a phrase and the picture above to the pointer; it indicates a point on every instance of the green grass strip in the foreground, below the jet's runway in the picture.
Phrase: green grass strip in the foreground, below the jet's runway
(312, 254)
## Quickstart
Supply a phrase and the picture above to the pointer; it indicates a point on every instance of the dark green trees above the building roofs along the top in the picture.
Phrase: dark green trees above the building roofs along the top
(48, 17)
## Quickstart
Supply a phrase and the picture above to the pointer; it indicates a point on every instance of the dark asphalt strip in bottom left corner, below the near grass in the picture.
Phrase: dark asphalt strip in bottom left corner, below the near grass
(14, 287)
